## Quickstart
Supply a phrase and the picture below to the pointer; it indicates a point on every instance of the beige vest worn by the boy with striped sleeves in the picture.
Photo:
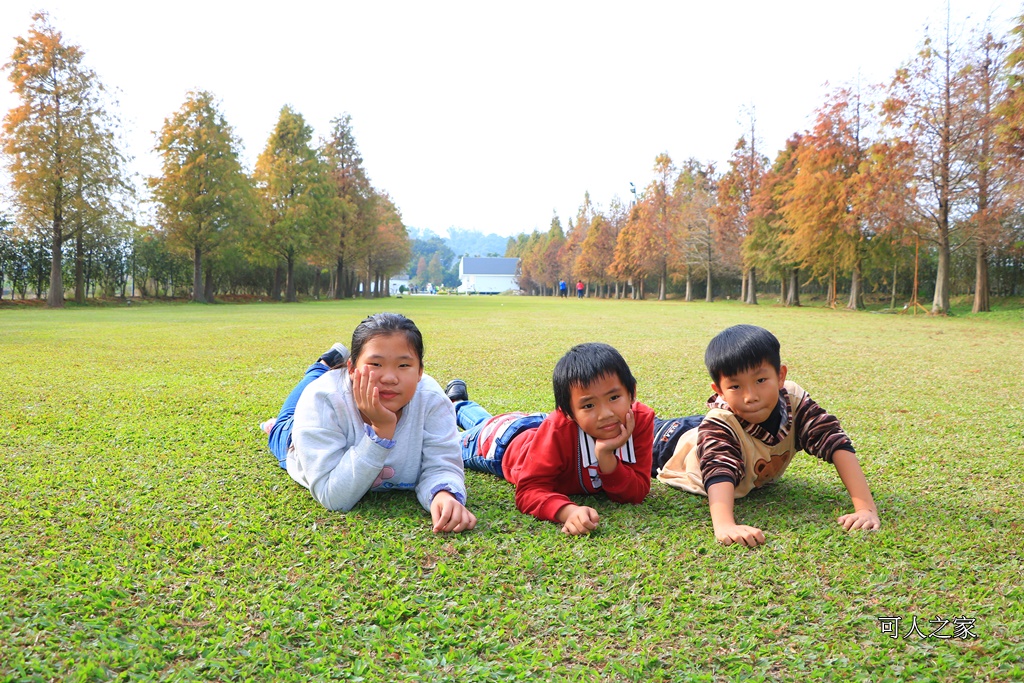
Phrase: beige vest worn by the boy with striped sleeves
(762, 464)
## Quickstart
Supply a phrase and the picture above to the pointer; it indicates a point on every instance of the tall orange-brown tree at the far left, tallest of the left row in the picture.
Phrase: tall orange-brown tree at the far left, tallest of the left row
(61, 144)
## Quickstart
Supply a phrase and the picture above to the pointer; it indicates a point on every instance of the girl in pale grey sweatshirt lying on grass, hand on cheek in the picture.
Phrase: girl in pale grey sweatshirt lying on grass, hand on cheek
(373, 421)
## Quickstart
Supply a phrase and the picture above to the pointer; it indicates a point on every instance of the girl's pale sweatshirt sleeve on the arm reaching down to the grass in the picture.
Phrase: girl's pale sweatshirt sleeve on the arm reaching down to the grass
(442, 467)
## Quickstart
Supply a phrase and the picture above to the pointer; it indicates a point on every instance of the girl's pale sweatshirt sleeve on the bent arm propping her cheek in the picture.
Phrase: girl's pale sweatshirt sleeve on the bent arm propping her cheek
(338, 464)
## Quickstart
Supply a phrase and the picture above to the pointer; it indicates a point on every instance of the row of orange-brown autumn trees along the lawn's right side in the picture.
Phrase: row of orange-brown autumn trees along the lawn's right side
(921, 177)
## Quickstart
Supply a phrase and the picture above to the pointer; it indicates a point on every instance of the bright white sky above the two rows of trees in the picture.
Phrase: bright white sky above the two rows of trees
(496, 116)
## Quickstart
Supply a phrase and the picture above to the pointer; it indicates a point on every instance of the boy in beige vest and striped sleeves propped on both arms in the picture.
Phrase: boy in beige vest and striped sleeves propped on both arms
(756, 422)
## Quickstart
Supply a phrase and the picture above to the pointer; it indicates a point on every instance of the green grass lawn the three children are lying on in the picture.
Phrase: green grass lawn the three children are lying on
(146, 534)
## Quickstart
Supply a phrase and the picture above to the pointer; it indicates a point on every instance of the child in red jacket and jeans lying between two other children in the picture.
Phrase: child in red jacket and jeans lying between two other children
(599, 439)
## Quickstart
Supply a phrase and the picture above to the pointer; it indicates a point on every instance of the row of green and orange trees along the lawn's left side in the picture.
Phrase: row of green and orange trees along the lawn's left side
(307, 209)
